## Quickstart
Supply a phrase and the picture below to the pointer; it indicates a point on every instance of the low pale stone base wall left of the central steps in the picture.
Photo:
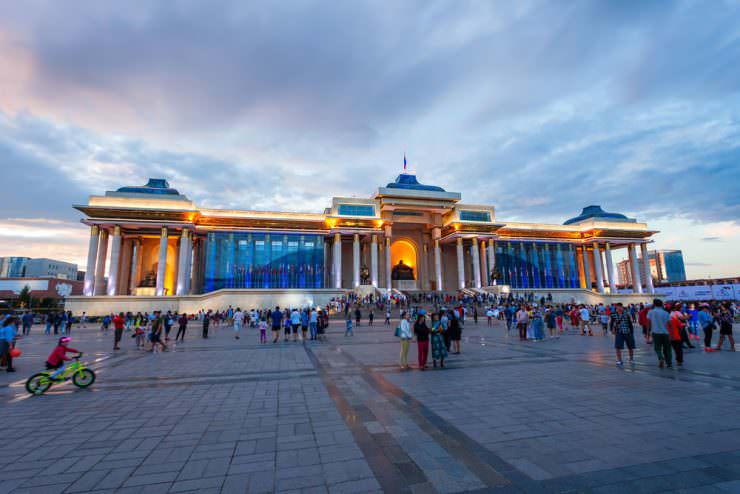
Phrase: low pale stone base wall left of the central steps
(220, 299)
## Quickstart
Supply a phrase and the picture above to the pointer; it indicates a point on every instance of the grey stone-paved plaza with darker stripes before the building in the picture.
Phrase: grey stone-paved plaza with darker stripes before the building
(226, 415)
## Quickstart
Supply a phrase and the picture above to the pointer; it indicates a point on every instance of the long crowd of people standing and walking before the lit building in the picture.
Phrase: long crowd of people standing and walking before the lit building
(434, 321)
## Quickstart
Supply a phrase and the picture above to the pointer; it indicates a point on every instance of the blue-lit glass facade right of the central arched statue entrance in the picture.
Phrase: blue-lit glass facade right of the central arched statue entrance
(536, 264)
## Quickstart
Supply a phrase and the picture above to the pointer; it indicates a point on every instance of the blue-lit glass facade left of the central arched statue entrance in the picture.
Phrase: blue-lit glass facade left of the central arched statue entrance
(263, 260)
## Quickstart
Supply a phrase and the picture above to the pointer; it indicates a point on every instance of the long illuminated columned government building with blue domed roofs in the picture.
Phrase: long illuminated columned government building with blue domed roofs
(165, 251)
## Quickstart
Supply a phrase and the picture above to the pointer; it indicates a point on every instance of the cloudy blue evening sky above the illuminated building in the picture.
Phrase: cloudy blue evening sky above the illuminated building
(539, 108)
